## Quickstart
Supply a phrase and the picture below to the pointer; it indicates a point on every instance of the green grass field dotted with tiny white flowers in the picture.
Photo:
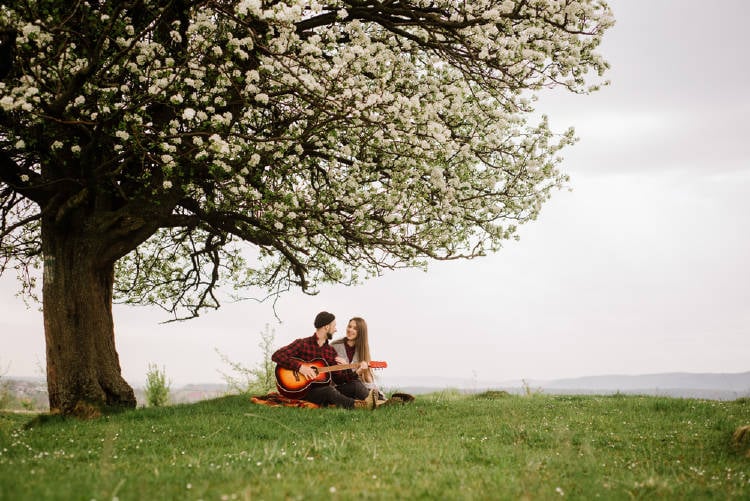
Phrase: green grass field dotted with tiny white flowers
(443, 446)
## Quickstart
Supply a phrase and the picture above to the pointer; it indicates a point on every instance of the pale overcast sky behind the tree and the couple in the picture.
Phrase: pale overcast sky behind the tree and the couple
(640, 268)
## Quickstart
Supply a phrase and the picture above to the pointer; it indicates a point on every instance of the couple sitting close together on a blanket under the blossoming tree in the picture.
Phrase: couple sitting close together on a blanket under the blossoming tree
(352, 388)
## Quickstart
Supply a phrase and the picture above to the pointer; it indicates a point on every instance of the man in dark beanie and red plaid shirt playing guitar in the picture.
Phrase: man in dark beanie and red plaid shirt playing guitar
(345, 389)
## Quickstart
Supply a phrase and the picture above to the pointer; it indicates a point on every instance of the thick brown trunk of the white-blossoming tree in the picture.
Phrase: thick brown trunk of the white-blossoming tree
(83, 369)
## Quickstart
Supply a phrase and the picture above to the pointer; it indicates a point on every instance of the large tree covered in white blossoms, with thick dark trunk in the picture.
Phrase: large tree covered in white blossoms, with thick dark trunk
(151, 150)
